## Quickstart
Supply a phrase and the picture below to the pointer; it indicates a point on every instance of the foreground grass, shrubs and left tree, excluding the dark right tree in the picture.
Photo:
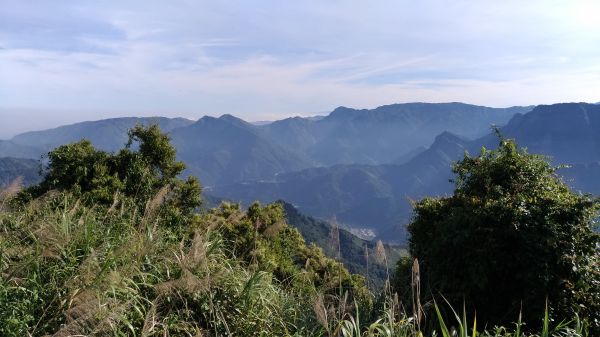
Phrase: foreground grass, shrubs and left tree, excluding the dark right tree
(109, 244)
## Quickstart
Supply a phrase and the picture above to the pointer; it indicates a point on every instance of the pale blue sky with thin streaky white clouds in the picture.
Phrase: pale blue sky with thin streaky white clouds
(63, 61)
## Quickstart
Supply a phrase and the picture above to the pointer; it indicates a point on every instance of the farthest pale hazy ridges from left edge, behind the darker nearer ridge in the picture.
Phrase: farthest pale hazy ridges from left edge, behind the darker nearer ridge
(227, 149)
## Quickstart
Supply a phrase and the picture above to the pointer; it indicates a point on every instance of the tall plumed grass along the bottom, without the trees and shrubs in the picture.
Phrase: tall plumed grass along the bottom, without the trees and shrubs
(68, 269)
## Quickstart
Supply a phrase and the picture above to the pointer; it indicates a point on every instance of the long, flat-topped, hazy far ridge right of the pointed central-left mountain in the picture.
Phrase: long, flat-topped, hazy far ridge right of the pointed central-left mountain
(351, 136)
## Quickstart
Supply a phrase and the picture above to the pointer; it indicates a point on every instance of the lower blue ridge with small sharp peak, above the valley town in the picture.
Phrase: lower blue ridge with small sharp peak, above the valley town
(376, 197)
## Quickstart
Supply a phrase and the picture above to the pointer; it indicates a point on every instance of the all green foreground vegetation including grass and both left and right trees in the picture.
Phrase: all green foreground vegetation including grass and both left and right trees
(113, 244)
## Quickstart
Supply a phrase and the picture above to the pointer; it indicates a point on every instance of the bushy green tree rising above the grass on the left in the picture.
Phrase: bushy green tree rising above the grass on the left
(149, 172)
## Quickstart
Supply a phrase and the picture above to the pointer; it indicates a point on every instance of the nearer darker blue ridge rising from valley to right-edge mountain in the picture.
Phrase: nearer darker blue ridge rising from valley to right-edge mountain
(378, 196)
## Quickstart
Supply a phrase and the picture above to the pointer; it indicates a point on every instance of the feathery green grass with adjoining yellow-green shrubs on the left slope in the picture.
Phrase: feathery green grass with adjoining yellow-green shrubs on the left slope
(68, 269)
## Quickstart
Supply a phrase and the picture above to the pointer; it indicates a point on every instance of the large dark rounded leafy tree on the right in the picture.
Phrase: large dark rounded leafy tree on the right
(512, 236)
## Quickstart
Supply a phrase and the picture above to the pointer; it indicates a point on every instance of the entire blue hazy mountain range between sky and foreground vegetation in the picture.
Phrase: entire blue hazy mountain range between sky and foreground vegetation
(359, 167)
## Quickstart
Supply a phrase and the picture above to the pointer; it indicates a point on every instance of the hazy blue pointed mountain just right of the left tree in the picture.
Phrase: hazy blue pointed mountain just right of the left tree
(225, 149)
